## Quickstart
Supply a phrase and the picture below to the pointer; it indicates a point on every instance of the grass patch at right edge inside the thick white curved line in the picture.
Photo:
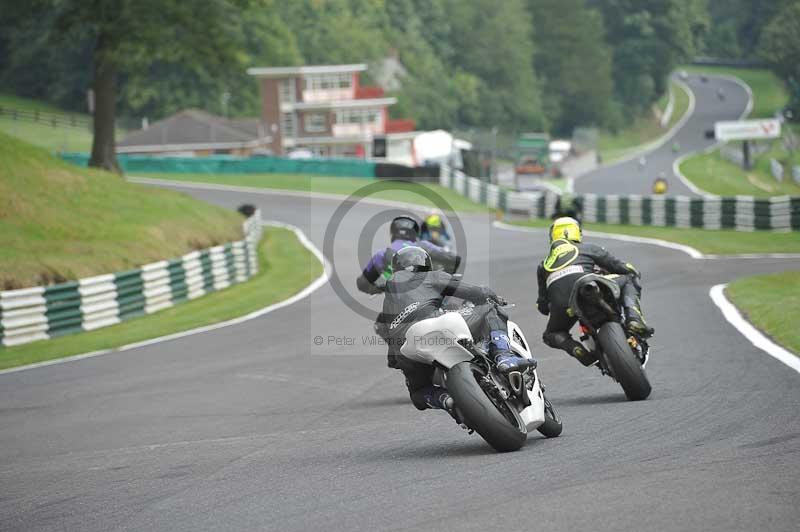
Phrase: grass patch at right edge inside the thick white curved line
(771, 303)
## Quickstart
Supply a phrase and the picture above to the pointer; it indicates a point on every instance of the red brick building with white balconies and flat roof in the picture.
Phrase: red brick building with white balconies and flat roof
(324, 109)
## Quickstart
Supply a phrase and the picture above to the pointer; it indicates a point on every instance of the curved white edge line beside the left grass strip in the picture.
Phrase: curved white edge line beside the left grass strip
(305, 292)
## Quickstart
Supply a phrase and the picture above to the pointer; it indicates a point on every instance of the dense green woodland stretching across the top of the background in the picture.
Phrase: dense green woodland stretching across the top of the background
(515, 64)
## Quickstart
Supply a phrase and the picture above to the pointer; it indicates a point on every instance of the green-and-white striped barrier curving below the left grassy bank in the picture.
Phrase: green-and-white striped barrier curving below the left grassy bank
(40, 313)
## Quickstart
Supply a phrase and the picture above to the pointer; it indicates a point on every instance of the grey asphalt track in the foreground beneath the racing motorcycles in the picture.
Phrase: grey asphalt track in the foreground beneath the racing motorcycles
(253, 427)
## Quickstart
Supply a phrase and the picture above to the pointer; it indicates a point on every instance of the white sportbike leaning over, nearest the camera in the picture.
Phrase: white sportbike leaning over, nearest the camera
(503, 409)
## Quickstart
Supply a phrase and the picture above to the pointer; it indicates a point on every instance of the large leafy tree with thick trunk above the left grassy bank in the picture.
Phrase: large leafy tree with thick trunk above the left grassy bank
(129, 35)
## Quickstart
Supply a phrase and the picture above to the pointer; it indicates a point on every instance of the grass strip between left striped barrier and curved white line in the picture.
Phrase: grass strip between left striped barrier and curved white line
(286, 267)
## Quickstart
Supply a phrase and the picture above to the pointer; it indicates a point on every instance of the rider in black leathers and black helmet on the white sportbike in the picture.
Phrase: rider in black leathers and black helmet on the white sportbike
(414, 293)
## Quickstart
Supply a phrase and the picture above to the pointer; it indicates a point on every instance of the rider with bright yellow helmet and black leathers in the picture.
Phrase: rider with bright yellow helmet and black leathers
(569, 259)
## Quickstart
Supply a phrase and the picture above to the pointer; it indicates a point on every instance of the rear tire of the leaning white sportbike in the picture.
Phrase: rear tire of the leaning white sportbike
(481, 413)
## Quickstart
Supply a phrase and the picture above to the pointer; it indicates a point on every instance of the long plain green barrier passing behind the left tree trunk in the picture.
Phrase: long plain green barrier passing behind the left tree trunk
(227, 164)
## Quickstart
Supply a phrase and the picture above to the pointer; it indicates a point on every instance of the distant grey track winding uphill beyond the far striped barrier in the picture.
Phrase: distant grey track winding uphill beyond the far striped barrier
(629, 178)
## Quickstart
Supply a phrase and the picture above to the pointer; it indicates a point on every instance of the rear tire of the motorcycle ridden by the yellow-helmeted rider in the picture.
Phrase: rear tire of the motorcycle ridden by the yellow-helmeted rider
(624, 365)
